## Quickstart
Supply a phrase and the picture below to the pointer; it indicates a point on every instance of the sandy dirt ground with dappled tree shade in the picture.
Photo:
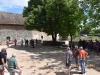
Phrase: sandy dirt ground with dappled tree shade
(46, 60)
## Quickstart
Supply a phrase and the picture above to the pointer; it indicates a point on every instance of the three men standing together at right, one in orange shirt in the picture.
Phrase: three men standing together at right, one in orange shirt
(79, 54)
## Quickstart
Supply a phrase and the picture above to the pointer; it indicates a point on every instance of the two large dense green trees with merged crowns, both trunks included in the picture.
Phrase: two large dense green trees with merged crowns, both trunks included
(54, 17)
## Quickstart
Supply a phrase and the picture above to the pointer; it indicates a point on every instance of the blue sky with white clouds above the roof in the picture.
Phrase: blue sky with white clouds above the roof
(13, 6)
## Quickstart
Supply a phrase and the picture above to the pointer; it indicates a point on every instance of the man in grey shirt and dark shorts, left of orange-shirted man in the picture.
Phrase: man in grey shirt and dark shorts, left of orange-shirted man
(69, 60)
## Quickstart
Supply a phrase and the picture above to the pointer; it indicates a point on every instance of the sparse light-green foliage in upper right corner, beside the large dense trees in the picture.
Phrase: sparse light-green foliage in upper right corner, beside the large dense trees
(92, 10)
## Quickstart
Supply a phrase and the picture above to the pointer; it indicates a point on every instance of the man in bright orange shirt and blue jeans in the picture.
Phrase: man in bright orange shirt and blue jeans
(82, 55)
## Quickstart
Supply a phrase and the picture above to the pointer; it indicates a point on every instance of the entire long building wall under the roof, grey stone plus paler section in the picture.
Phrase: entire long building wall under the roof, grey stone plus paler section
(18, 32)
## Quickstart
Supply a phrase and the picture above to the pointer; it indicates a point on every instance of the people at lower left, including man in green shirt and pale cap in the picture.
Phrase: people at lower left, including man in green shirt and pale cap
(9, 63)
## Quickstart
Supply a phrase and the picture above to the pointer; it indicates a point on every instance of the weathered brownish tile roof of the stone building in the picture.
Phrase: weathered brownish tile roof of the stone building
(11, 18)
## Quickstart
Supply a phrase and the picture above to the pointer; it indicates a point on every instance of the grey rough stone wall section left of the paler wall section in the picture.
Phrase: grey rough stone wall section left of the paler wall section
(14, 34)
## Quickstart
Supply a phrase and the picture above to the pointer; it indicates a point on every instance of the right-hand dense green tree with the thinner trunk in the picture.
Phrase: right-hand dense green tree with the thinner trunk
(74, 15)
